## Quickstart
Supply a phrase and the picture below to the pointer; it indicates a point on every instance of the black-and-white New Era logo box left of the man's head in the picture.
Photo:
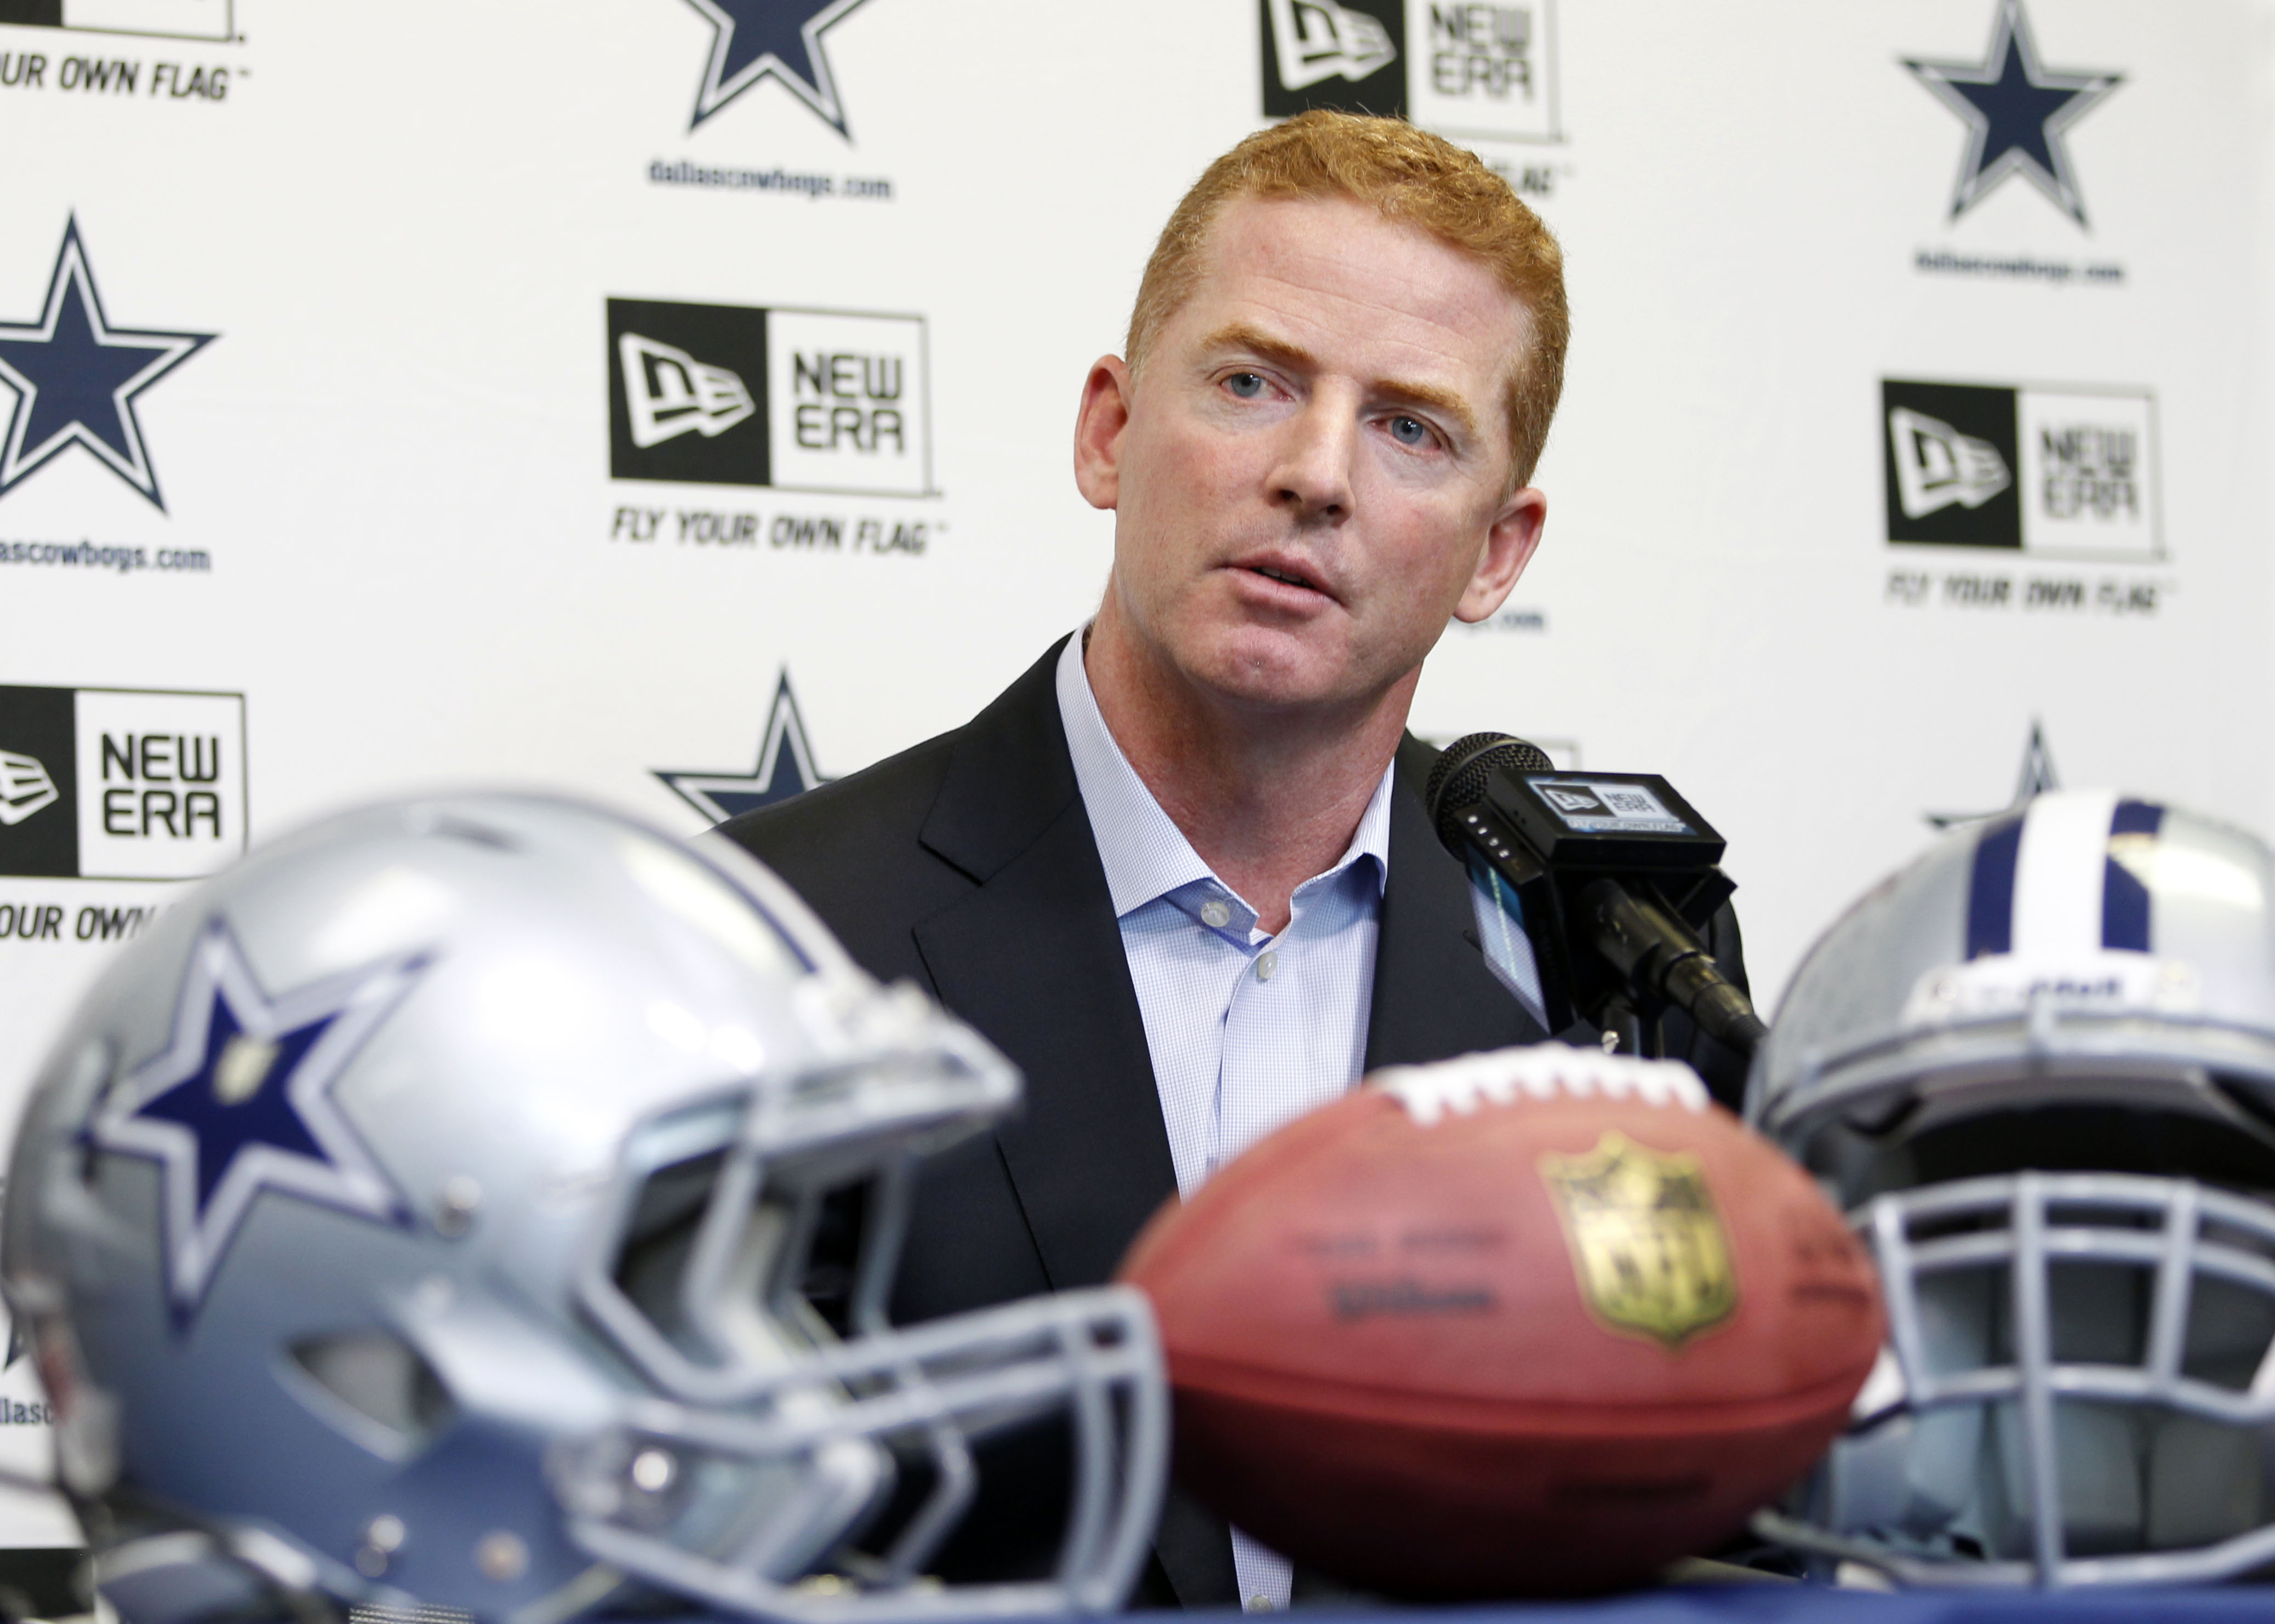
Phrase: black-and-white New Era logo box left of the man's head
(791, 399)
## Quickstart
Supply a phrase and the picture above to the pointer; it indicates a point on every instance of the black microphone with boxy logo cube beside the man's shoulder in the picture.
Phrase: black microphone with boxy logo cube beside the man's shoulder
(1612, 877)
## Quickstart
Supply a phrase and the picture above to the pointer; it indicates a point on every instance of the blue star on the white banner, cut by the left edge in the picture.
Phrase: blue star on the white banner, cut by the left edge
(76, 379)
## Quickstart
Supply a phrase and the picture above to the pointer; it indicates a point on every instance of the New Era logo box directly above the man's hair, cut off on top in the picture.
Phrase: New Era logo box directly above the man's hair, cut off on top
(1466, 72)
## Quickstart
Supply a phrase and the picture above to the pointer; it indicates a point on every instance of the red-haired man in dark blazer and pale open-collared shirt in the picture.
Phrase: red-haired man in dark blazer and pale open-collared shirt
(1182, 872)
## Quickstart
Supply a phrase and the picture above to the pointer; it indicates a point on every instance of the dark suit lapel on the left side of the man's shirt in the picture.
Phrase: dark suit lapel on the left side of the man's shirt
(1034, 959)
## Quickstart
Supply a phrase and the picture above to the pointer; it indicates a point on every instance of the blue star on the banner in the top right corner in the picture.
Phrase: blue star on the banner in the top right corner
(2017, 115)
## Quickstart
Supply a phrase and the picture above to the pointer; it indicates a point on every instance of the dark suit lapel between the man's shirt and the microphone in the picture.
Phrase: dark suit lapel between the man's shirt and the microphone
(1432, 991)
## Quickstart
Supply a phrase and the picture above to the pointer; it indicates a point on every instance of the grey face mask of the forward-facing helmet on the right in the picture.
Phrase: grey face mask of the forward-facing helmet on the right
(2080, 1341)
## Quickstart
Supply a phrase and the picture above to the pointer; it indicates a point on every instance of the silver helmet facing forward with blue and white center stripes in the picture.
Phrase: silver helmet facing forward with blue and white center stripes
(2040, 1070)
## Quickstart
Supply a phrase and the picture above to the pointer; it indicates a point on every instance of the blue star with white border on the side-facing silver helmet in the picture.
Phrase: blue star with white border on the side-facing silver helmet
(242, 1102)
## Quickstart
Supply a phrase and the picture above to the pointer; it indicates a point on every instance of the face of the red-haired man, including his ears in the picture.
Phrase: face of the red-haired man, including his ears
(1314, 472)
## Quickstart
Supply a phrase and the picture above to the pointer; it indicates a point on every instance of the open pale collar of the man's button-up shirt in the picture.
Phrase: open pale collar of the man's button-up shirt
(1143, 850)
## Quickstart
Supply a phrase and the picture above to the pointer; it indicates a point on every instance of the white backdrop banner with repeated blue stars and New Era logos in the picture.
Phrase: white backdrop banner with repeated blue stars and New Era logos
(672, 401)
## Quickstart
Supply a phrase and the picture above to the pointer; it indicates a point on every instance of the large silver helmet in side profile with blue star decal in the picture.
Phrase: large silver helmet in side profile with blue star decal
(490, 1204)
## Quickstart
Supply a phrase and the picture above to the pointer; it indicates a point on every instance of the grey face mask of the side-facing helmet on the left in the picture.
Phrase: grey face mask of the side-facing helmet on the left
(750, 1289)
